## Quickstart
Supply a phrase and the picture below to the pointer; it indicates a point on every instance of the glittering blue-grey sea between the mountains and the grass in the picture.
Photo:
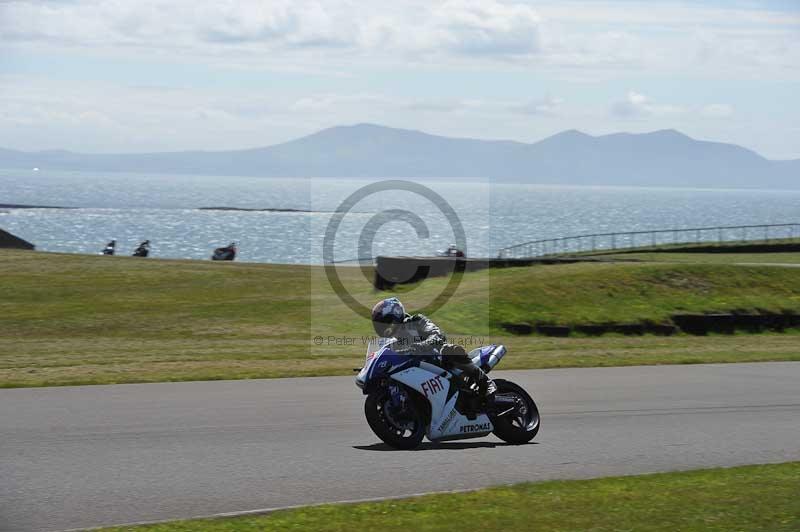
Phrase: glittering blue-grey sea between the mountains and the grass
(382, 217)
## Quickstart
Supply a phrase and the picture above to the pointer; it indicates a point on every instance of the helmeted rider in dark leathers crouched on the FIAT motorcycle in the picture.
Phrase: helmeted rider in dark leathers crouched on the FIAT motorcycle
(419, 335)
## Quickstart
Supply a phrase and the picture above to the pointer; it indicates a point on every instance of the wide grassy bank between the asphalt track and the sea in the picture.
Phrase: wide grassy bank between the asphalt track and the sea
(71, 319)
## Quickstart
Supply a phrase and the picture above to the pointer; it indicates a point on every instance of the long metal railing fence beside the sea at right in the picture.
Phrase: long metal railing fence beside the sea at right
(649, 239)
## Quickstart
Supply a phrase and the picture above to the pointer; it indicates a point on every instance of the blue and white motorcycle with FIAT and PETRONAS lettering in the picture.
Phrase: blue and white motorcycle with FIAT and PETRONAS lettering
(409, 398)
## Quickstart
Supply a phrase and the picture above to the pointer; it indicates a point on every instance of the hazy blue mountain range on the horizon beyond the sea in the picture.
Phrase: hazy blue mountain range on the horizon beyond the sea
(660, 158)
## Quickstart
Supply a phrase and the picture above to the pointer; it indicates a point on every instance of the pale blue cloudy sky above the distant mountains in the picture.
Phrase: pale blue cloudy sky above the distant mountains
(165, 75)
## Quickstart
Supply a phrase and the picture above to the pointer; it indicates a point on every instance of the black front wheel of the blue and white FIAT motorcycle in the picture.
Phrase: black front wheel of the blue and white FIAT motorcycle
(401, 430)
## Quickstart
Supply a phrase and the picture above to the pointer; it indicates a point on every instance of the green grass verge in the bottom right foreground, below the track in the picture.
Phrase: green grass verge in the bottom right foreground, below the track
(751, 498)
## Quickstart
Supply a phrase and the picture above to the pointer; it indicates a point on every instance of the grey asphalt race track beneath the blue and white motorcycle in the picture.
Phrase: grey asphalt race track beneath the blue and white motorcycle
(99, 455)
